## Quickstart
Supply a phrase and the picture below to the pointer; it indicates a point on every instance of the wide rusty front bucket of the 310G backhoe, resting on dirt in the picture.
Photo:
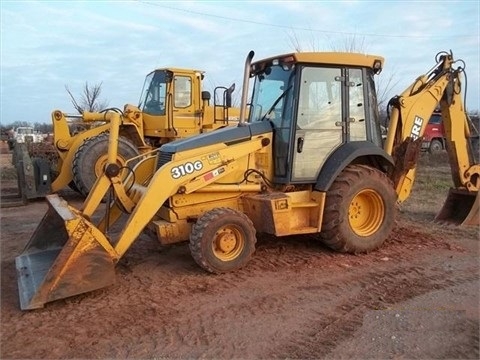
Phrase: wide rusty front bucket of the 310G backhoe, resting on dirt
(66, 256)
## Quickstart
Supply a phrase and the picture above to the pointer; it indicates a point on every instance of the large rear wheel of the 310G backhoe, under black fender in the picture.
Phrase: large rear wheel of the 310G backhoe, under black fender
(360, 210)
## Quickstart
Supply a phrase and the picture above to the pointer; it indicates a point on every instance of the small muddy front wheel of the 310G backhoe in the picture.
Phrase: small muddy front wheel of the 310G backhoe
(222, 240)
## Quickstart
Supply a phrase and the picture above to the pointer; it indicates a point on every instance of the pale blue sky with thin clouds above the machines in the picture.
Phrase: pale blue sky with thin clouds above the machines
(48, 45)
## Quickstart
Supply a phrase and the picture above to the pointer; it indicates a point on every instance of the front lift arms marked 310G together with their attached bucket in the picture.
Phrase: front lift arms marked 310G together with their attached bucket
(73, 264)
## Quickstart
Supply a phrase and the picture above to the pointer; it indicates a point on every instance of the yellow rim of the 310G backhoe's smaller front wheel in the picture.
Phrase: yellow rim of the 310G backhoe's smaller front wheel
(228, 243)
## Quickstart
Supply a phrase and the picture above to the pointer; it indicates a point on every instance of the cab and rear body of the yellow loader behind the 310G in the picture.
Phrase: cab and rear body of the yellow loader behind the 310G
(174, 106)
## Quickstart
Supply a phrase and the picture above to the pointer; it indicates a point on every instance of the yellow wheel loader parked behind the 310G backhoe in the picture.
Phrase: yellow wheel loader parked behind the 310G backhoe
(172, 106)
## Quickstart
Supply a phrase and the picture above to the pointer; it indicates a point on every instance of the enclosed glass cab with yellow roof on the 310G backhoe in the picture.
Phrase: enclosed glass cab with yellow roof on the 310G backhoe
(317, 104)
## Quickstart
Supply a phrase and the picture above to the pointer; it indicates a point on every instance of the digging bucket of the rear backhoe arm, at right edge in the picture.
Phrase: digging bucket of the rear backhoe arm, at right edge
(460, 208)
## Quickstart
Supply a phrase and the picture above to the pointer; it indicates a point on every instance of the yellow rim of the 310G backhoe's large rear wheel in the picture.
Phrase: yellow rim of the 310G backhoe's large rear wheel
(366, 212)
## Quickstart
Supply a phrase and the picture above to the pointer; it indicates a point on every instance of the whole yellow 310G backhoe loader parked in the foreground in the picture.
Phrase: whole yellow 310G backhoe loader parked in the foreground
(310, 160)
